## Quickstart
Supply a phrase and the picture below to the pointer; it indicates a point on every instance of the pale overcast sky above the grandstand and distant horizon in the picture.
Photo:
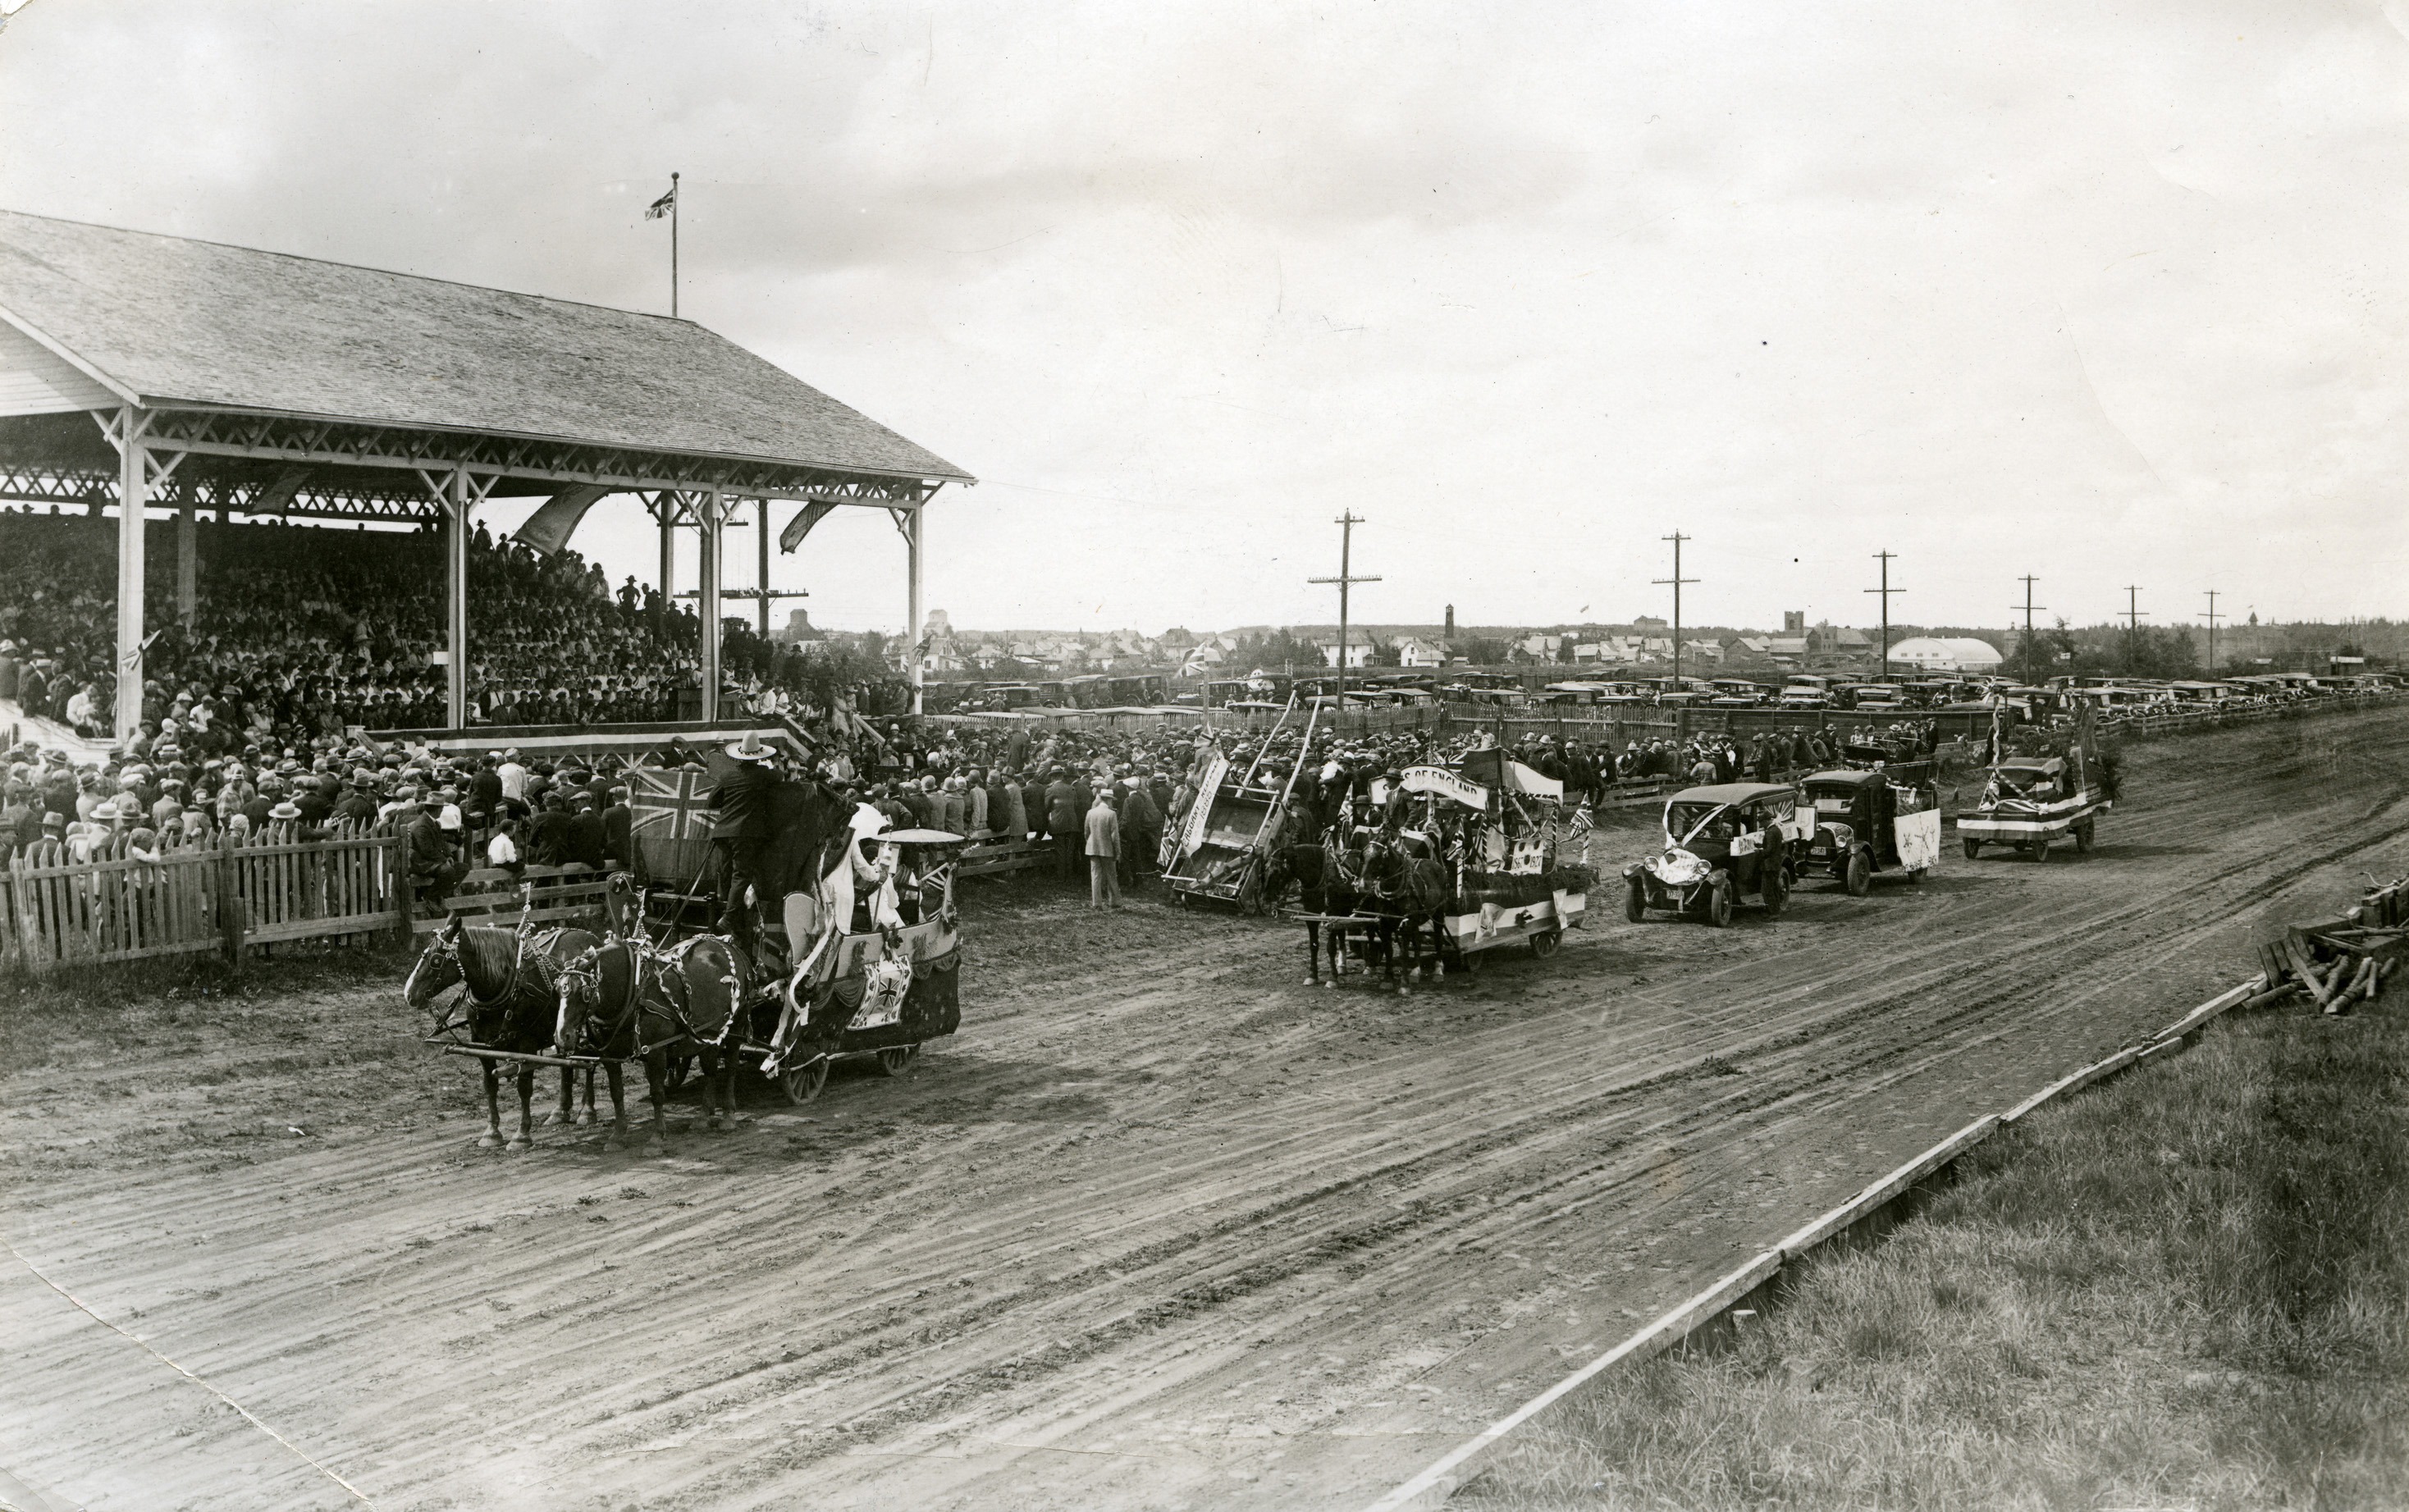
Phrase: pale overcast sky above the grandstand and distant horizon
(2099, 293)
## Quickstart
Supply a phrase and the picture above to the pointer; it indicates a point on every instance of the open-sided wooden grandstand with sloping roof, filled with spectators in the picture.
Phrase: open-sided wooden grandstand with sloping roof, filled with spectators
(187, 379)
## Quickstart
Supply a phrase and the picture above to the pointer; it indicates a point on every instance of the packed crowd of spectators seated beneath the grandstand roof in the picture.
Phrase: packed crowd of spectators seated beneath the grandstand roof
(305, 632)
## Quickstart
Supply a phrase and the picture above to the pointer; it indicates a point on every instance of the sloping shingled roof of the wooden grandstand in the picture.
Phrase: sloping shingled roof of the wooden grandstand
(177, 321)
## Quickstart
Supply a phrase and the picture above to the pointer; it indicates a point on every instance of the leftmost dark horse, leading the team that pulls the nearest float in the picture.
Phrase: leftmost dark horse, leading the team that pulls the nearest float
(510, 979)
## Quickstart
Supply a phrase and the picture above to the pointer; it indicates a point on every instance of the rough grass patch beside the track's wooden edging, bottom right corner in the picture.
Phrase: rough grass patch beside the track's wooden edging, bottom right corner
(2184, 1289)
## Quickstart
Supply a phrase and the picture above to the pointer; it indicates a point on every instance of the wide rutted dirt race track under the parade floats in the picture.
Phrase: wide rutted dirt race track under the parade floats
(1160, 1229)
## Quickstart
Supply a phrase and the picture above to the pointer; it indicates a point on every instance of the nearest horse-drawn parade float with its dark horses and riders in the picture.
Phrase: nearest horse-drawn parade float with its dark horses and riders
(876, 979)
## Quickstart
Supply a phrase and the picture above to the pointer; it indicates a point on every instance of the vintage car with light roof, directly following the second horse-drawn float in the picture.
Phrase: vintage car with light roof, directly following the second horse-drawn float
(1721, 846)
